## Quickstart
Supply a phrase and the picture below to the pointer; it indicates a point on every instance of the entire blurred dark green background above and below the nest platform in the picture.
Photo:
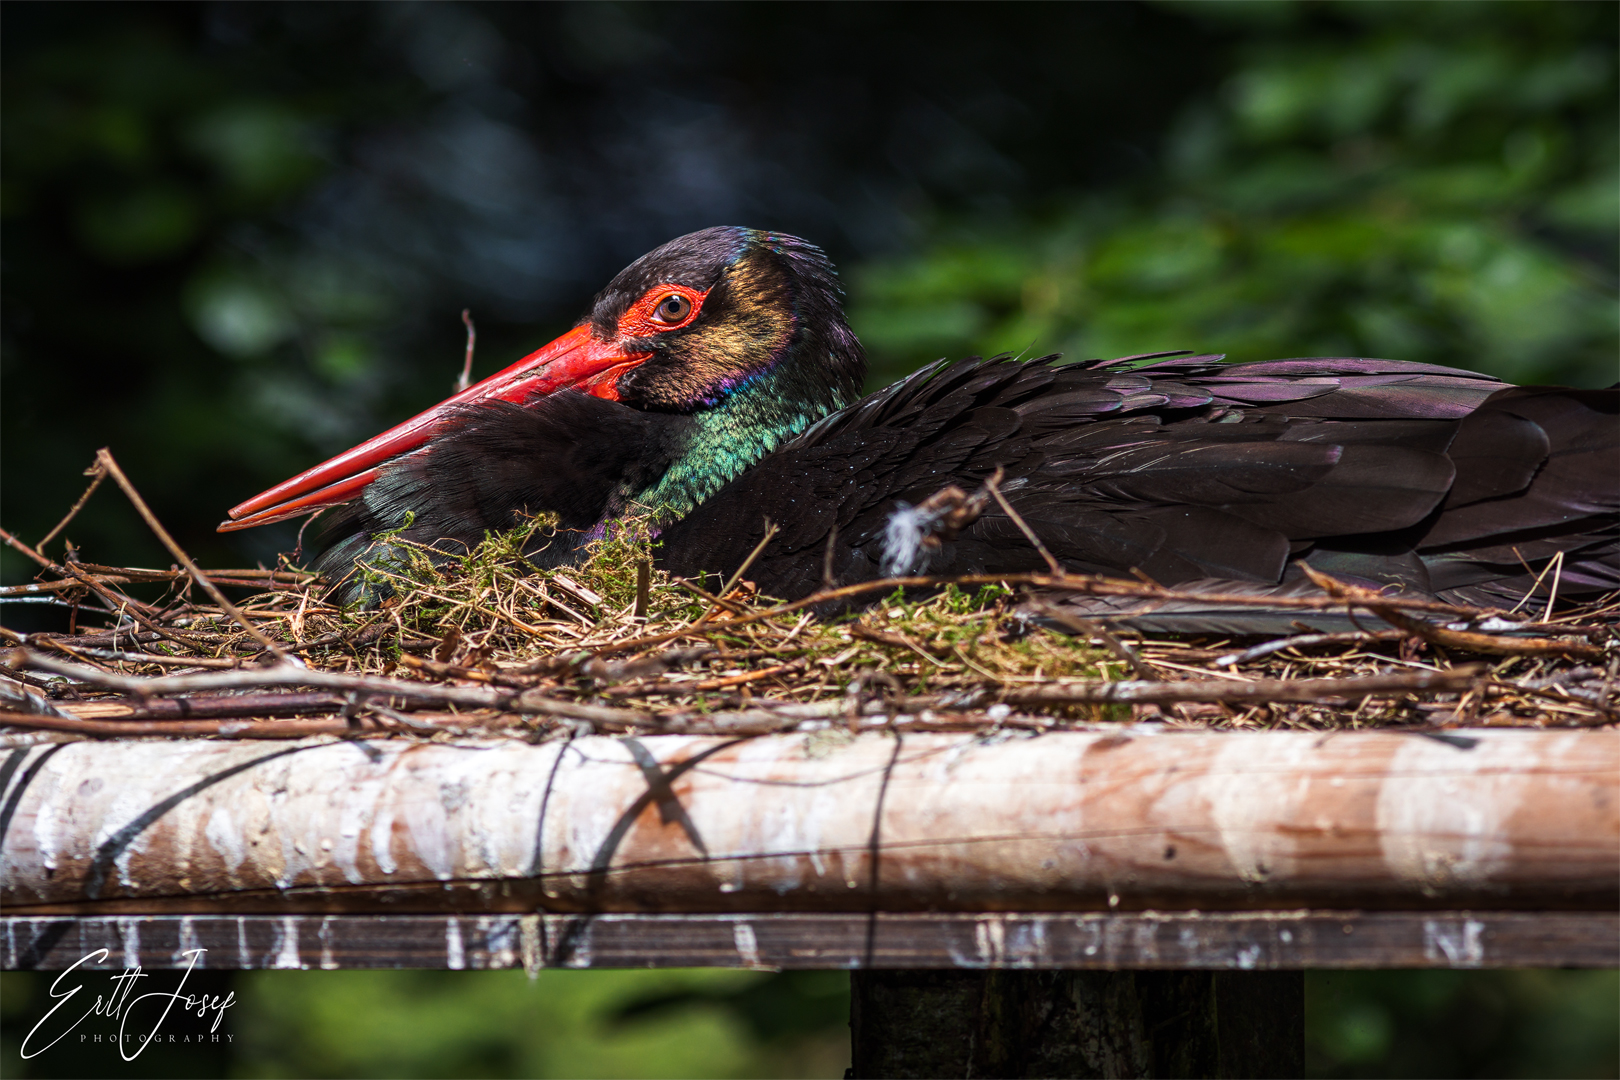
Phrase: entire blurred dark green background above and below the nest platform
(237, 239)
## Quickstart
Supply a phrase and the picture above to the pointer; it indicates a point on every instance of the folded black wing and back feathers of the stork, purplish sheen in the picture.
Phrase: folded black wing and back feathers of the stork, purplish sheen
(1195, 472)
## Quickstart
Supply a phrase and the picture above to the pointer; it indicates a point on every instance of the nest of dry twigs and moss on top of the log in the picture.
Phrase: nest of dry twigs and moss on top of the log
(488, 644)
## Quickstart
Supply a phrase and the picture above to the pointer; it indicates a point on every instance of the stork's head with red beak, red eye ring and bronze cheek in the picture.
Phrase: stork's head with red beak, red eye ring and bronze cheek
(691, 328)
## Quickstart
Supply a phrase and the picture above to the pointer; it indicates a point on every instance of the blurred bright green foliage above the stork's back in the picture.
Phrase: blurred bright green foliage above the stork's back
(1428, 182)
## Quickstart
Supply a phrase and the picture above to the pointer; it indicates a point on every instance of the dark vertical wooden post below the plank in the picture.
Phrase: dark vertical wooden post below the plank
(1076, 1024)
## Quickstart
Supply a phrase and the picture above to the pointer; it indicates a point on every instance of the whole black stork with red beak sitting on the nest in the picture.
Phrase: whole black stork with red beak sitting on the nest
(715, 386)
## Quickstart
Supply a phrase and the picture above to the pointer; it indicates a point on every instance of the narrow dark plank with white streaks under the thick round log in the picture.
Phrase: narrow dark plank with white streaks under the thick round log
(1076, 942)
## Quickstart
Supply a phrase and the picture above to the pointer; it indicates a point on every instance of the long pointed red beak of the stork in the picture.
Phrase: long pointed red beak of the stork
(574, 360)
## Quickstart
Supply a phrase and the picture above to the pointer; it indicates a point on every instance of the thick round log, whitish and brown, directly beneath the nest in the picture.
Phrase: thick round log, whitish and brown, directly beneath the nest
(822, 822)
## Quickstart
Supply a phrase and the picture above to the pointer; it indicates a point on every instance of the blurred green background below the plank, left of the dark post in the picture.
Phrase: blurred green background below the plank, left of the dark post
(484, 1024)
